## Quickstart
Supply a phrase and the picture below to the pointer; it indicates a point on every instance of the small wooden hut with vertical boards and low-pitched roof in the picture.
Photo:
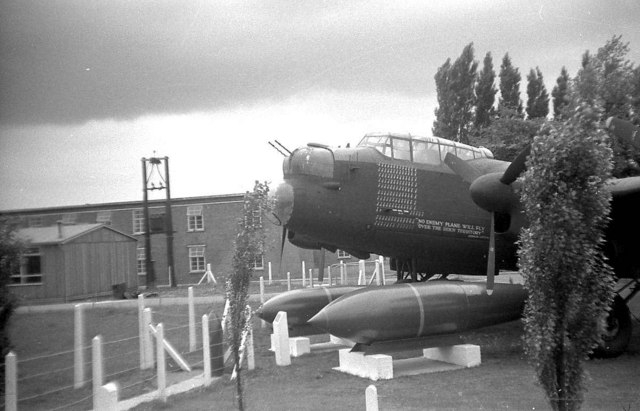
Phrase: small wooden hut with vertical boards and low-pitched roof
(71, 262)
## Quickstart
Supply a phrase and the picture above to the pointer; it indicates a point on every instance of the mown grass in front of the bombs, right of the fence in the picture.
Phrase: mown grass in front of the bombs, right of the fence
(503, 381)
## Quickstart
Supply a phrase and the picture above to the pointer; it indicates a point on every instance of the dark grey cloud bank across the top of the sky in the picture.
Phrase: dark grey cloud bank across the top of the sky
(68, 61)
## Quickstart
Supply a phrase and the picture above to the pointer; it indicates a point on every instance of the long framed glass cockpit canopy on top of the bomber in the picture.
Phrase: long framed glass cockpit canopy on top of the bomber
(423, 150)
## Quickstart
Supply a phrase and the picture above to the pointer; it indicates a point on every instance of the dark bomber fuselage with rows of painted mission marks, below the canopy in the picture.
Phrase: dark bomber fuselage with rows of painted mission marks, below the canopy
(361, 201)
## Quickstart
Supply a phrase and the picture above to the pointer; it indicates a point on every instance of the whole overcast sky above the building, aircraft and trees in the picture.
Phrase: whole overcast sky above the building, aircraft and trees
(89, 87)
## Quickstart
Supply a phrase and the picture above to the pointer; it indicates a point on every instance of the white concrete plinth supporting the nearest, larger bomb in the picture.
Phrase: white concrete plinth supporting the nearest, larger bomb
(382, 366)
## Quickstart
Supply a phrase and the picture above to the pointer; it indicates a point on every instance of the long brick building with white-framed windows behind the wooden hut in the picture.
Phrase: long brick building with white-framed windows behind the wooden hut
(204, 231)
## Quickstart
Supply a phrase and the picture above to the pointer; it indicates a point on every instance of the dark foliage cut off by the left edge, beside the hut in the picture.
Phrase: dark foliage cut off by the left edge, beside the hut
(10, 250)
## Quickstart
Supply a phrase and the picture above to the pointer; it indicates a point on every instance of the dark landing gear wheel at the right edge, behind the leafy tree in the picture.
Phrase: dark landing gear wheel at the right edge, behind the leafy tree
(617, 332)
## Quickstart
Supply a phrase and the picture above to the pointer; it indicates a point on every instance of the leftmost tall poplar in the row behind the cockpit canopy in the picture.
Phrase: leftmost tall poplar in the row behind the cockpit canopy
(456, 97)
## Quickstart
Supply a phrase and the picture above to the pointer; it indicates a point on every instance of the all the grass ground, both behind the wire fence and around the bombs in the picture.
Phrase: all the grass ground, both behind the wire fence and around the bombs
(503, 381)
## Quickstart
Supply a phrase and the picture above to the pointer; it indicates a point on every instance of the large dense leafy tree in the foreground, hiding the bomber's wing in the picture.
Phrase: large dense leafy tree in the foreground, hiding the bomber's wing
(570, 286)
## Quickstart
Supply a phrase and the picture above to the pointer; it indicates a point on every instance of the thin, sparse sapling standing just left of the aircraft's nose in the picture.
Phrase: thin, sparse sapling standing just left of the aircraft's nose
(249, 247)
